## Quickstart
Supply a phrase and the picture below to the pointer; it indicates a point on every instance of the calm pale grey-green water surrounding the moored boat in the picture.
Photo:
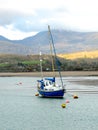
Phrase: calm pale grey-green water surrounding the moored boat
(20, 109)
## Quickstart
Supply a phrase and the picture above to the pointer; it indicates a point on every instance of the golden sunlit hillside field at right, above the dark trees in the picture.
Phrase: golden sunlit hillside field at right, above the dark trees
(84, 54)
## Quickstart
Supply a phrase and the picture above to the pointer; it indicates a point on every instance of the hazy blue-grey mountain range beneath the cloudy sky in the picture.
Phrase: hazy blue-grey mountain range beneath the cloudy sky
(65, 42)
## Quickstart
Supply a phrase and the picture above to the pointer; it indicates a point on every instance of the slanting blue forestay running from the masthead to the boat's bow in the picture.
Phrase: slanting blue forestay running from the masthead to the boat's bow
(55, 55)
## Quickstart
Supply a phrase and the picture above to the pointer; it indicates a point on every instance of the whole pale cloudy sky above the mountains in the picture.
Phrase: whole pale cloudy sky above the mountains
(22, 18)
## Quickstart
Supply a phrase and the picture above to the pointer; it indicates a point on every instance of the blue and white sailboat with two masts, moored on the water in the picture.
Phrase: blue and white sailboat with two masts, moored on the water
(47, 87)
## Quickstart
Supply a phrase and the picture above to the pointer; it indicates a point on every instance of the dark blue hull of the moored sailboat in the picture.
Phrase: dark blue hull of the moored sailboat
(57, 93)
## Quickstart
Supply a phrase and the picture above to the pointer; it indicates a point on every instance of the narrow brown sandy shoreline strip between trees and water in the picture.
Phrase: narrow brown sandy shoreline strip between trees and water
(49, 74)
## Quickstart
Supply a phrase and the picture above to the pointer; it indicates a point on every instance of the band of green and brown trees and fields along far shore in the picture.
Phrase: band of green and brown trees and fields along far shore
(31, 63)
